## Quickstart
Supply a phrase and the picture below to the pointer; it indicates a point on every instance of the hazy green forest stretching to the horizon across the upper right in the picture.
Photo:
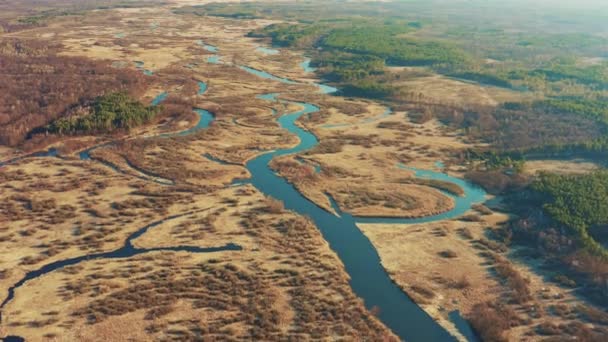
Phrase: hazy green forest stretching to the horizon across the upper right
(531, 53)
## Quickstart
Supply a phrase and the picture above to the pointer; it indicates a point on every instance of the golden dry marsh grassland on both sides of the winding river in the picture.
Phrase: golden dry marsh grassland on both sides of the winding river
(285, 283)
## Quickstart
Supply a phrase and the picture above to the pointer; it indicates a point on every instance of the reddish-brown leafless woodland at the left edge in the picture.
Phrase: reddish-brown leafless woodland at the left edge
(39, 86)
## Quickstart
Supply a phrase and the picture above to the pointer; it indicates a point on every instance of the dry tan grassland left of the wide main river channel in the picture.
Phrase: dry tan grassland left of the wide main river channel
(182, 284)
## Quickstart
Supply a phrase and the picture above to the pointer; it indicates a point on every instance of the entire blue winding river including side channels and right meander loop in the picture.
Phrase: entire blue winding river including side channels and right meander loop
(368, 279)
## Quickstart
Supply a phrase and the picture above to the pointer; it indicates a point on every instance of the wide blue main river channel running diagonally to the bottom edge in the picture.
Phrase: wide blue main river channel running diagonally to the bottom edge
(368, 278)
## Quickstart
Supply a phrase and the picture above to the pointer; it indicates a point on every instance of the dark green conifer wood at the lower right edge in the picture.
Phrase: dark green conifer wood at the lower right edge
(557, 220)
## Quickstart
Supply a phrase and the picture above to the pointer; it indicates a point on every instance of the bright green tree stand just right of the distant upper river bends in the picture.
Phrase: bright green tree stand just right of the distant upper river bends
(355, 53)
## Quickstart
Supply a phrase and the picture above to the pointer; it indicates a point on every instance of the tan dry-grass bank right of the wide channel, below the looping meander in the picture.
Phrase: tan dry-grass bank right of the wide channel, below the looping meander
(442, 271)
